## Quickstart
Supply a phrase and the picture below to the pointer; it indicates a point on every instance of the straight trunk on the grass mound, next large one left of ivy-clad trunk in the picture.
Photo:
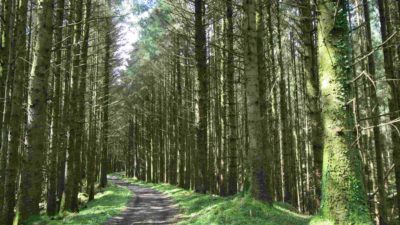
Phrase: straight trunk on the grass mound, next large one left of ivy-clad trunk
(257, 158)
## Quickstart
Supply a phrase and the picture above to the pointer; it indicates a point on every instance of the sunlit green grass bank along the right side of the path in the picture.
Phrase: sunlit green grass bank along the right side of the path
(240, 209)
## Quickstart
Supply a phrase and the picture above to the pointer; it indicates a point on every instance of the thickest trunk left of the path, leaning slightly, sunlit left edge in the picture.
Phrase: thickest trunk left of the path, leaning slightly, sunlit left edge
(31, 179)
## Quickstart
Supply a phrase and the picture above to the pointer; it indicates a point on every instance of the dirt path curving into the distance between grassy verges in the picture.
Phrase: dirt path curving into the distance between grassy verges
(147, 206)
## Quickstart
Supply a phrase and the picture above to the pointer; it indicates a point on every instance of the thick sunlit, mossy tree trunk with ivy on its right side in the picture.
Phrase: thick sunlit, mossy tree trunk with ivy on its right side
(343, 195)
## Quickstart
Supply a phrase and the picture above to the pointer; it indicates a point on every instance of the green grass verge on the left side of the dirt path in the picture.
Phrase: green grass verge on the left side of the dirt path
(110, 202)
